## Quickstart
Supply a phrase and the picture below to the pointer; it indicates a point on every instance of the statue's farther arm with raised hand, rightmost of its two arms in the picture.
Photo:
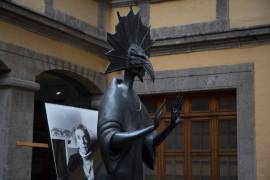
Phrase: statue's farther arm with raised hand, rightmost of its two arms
(175, 120)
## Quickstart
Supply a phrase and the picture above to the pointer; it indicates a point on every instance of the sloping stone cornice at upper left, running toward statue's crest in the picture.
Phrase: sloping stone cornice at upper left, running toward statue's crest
(51, 28)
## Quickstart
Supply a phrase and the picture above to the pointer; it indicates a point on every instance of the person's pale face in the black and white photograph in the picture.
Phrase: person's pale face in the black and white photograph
(83, 141)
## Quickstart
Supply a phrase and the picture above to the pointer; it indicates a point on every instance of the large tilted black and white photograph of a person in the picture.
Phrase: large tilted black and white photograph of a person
(73, 133)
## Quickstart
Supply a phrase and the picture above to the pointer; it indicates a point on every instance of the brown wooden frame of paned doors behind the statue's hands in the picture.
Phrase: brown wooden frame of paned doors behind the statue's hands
(213, 116)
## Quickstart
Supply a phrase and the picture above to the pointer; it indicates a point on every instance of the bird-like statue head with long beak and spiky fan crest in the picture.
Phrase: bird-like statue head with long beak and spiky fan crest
(130, 47)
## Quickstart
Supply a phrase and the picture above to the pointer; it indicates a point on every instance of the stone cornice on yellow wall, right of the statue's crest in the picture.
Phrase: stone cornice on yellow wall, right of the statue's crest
(209, 41)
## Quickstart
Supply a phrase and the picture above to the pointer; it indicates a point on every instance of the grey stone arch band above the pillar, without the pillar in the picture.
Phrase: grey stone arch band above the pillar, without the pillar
(35, 63)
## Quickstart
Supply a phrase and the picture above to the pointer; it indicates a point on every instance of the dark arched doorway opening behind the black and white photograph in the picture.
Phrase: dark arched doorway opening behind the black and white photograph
(59, 87)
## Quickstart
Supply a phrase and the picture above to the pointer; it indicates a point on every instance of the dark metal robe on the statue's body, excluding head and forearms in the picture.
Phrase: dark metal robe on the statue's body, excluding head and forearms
(122, 111)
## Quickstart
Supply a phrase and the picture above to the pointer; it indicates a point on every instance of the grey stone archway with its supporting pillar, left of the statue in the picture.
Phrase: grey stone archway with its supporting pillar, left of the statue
(19, 68)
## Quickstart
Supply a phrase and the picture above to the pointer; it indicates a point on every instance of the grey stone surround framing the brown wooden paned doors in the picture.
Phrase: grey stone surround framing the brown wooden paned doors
(239, 77)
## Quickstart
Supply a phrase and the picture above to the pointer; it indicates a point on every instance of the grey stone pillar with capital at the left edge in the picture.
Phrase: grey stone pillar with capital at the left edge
(16, 124)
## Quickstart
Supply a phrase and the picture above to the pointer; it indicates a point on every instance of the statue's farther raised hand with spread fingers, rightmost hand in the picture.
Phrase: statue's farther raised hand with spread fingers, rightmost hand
(176, 108)
